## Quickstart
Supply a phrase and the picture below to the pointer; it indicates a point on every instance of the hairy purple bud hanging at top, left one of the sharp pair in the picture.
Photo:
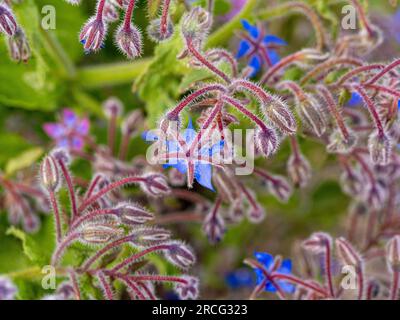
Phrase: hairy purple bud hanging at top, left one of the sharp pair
(93, 34)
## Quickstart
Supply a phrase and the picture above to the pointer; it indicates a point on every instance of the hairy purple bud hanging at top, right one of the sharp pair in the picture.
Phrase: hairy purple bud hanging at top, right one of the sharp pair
(129, 40)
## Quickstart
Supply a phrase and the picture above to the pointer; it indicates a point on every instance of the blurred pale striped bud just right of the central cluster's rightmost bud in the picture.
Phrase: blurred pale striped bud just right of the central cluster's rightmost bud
(312, 115)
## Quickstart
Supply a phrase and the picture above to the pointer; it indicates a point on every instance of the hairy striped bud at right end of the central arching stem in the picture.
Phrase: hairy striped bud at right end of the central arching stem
(278, 113)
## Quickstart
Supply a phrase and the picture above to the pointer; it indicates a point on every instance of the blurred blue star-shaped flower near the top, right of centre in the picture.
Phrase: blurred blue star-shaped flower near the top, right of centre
(258, 47)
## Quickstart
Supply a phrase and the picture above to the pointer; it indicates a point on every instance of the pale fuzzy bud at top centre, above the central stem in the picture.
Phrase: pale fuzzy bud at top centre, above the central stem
(196, 24)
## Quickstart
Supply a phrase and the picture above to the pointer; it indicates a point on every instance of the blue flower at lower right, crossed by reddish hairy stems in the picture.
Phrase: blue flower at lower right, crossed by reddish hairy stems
(267, 261)
